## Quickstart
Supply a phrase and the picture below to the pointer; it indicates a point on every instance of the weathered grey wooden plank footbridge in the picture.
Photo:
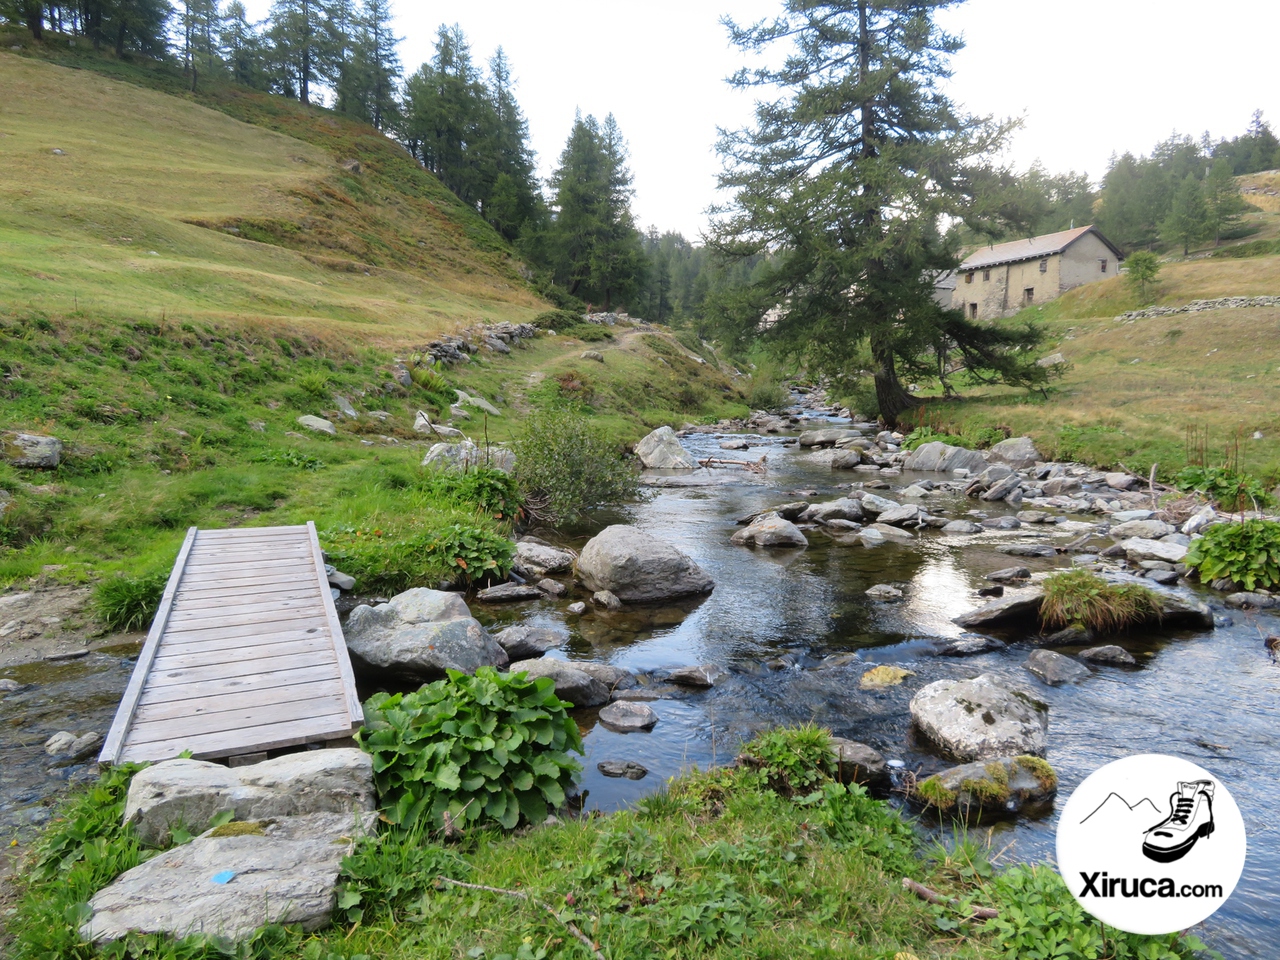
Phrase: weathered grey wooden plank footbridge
(245, 655)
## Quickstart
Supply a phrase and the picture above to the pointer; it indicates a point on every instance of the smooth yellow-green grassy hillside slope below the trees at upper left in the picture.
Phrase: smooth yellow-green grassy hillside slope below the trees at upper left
(161, 207)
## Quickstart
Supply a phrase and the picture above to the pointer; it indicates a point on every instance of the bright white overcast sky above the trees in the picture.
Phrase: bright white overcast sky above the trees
(1090, 79)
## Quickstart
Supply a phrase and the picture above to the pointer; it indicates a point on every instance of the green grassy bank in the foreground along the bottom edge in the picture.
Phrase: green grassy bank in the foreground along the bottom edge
(739, 862)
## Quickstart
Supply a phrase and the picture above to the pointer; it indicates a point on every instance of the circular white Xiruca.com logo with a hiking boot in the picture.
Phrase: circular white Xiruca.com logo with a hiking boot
(1151, 844)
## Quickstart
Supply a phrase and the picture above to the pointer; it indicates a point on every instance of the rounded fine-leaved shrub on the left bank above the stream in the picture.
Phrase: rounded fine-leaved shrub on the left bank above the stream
(565, 465)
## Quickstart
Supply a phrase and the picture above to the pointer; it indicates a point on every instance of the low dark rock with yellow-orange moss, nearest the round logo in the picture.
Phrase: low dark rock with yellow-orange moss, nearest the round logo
(1002, 787)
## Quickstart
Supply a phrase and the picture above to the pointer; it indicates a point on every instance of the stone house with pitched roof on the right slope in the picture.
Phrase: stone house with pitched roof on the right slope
(1002, 280)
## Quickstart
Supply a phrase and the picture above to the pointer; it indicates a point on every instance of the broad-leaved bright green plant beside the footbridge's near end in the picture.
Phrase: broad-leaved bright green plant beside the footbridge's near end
(486, 749)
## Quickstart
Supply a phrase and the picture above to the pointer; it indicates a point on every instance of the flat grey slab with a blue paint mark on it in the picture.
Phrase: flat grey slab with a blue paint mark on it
(286, 875)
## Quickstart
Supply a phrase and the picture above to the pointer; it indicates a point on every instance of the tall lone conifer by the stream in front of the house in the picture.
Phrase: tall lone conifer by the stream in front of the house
(844, 181)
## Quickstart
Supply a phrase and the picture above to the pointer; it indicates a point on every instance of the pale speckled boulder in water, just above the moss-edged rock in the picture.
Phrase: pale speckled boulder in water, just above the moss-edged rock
(980, 719)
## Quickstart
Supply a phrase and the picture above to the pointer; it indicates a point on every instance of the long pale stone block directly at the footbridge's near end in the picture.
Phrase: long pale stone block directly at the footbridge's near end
(191, 793)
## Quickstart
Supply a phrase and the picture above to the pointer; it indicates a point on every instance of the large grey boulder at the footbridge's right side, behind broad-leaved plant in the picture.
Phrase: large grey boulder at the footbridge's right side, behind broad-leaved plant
(420, 634)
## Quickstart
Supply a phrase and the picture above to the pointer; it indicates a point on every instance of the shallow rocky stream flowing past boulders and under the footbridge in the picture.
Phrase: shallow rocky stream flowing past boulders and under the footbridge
(1213, 698)
